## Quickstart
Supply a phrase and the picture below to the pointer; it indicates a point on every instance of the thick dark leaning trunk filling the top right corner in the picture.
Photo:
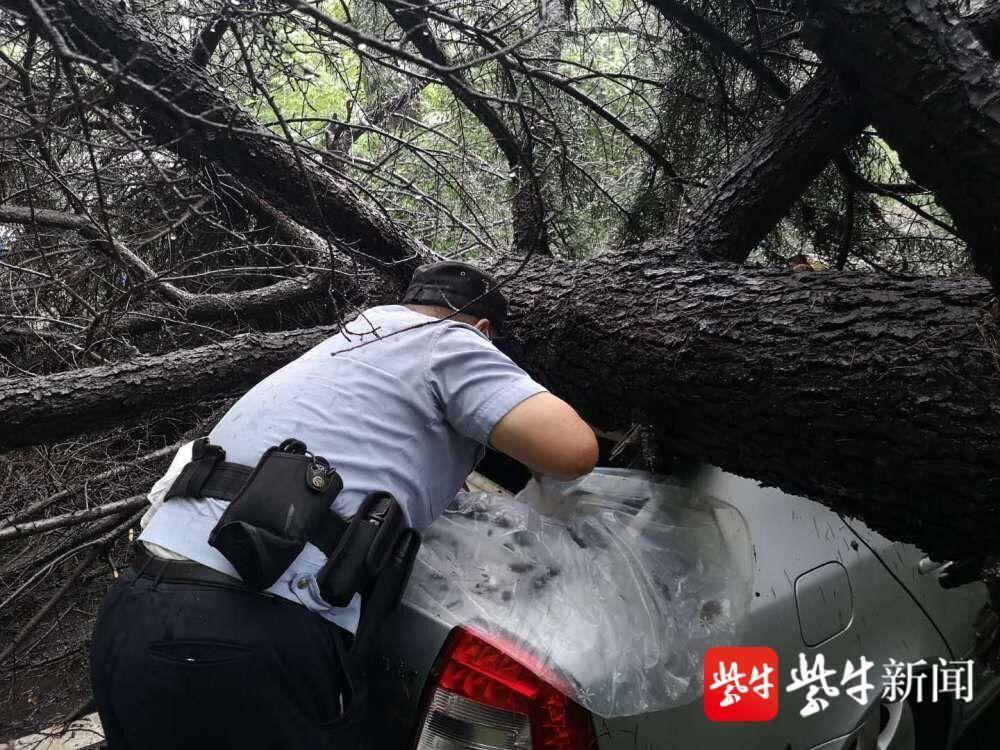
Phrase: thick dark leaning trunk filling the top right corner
(931, 90)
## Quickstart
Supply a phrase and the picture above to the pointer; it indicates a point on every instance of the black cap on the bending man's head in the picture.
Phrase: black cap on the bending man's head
(458, 286)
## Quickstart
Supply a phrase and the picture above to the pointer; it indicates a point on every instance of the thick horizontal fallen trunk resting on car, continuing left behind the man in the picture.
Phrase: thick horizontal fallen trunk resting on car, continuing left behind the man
(880, 397)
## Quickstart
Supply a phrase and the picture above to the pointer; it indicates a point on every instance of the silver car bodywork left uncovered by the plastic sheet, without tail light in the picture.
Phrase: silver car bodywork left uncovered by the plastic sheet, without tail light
(823, 585)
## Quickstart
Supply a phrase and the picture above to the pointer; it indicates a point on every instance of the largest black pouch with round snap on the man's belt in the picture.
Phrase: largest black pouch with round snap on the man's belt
(286, 499)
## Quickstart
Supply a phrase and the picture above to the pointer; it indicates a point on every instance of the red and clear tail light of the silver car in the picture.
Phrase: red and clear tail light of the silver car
(485, 695)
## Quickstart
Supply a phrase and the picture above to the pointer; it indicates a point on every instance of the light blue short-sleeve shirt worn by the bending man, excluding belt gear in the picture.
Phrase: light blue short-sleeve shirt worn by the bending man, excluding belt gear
(397, 401)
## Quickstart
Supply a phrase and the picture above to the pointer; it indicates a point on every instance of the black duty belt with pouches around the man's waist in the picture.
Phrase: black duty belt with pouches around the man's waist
(285, 501)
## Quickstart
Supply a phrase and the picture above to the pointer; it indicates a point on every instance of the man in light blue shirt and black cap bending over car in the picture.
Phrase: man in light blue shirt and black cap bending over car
(274, 543)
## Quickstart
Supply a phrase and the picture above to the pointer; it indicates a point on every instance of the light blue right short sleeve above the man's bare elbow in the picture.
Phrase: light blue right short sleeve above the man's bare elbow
(474, 382)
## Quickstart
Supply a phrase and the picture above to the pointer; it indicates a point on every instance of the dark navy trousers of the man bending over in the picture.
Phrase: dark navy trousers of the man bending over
(189, 665)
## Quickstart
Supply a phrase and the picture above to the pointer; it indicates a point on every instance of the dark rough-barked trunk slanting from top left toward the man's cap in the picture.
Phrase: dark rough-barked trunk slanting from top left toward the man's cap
(184, 109)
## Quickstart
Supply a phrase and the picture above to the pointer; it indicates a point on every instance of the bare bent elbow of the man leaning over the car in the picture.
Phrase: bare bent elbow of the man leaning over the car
(547, 435)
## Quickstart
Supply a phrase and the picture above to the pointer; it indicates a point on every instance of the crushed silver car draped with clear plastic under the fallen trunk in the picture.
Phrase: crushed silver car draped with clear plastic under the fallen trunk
(614, 595)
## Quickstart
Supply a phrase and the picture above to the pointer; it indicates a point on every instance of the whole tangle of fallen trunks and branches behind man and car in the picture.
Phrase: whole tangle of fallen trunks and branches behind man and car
(193, 193)
